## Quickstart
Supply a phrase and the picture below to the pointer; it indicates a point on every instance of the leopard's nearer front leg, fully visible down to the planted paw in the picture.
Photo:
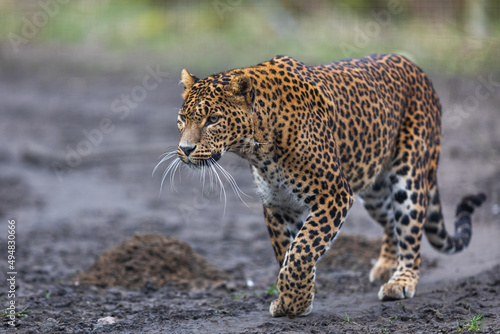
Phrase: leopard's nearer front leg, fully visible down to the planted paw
(297, 276)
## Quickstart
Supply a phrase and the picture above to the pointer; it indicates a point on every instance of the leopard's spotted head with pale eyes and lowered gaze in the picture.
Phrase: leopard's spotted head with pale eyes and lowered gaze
(215, 117)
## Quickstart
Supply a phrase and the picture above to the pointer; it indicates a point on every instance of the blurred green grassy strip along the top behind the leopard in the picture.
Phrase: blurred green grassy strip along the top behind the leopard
(451, 36)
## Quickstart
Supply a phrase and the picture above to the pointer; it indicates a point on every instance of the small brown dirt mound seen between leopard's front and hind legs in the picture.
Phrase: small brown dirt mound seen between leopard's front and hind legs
(352, 252)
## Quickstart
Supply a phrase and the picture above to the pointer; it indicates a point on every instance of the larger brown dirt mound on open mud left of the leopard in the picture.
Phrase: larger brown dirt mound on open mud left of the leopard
(155, 259)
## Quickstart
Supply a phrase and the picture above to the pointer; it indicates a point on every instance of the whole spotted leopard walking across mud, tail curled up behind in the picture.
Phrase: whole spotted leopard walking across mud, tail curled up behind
(316, 138)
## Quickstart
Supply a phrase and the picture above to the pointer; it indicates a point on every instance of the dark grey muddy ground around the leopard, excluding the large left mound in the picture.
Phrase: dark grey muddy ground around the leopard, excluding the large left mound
(75, 174)
